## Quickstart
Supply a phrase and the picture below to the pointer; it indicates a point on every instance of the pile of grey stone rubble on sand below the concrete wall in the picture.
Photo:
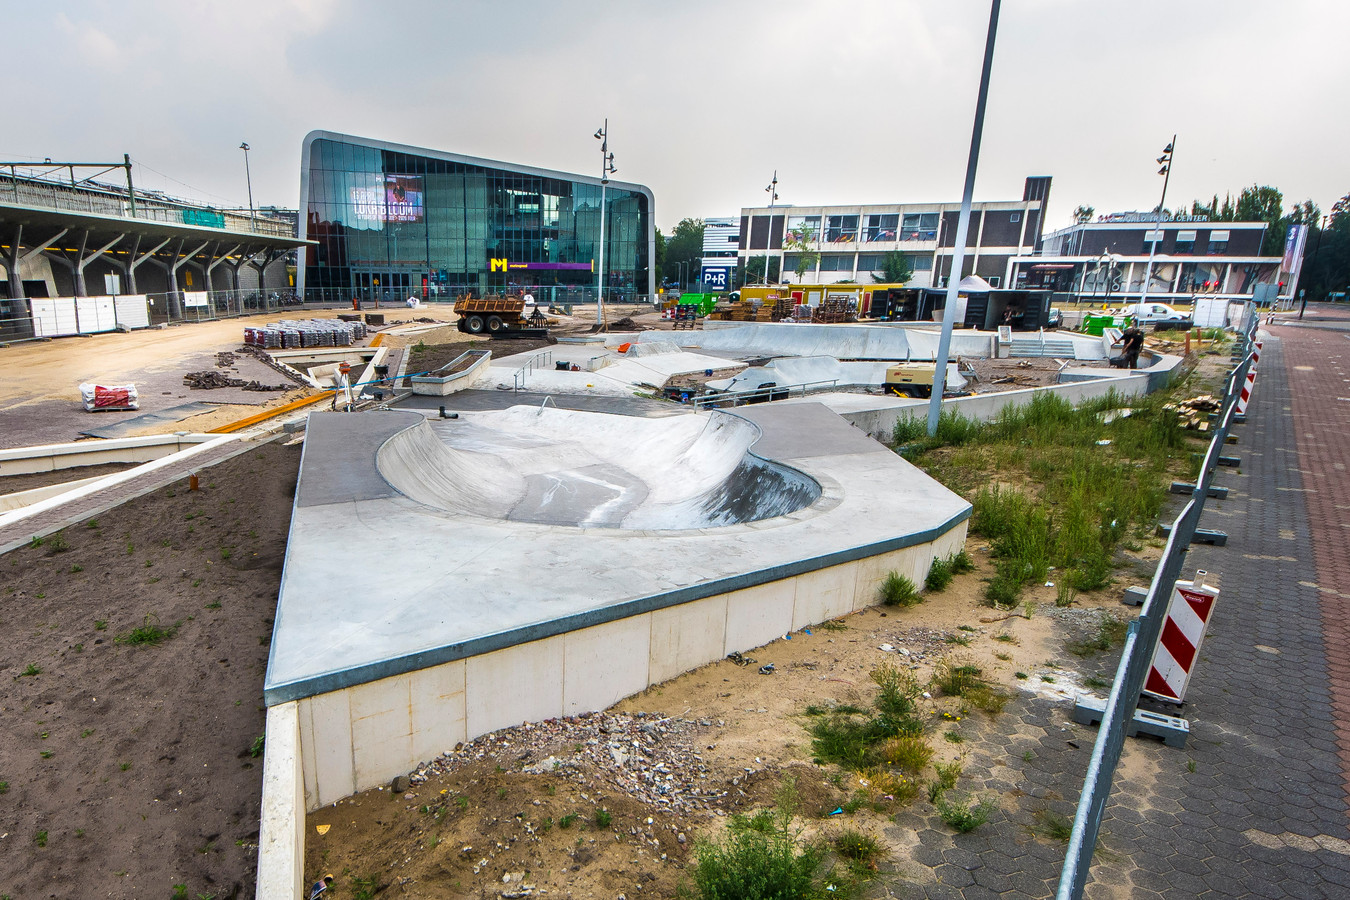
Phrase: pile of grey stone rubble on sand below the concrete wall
(647, 756)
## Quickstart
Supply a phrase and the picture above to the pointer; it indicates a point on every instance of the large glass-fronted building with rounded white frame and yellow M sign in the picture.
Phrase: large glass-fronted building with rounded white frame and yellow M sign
(391, 222)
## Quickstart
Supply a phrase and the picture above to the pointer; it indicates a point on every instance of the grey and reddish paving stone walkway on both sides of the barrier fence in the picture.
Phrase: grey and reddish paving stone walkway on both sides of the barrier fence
(1256, 806)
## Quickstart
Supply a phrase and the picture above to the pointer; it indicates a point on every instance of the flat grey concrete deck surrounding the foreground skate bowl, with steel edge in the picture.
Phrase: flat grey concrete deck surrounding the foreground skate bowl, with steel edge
(452, 586)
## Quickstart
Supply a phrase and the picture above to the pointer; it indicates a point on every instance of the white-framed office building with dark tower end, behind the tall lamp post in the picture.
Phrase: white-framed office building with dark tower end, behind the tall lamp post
(848, 244)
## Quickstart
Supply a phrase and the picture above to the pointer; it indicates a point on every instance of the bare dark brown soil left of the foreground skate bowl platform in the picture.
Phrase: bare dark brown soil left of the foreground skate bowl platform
(130, 768)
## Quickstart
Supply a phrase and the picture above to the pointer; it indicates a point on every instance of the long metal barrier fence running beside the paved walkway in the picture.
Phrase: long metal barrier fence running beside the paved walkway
(1143, 639)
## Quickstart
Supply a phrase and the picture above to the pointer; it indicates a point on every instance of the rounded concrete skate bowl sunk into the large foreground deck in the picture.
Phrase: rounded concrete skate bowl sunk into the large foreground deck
(565, 468)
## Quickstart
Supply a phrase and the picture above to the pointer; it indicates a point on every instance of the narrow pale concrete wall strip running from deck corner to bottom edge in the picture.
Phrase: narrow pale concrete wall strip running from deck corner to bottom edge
(281, 836)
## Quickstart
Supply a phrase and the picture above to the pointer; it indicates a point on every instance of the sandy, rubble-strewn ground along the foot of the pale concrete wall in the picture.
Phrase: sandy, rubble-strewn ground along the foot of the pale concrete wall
(612, 805)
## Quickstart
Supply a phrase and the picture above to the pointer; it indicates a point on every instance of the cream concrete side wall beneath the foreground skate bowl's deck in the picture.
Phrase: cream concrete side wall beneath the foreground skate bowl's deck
(358, 737)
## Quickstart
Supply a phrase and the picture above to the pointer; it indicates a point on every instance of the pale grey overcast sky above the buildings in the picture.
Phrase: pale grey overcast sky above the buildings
(850, 101)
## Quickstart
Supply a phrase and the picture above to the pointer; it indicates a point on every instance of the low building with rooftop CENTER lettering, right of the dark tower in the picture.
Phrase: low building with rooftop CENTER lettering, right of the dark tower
(1105, 261)
